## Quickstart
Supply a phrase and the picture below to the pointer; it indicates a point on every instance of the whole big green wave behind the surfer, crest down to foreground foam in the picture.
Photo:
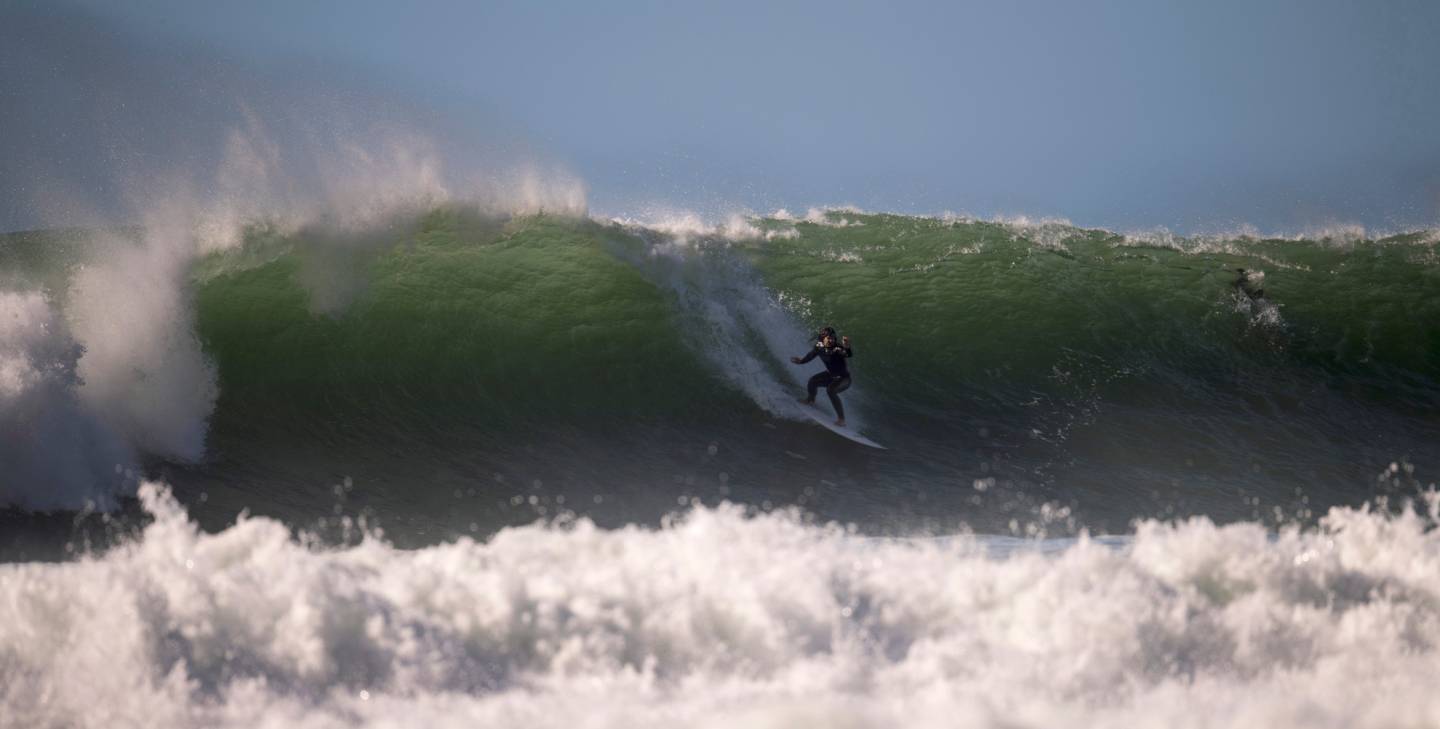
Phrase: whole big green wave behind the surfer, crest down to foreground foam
(464, 371)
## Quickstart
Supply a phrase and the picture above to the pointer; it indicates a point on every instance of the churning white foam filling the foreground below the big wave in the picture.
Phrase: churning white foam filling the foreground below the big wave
(728, 620)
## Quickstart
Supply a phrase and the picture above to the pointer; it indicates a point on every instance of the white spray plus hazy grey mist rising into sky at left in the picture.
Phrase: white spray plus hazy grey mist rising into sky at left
(174, 162)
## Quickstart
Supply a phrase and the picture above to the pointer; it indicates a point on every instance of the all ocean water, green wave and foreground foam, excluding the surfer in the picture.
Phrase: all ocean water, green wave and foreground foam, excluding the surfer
(446, 465)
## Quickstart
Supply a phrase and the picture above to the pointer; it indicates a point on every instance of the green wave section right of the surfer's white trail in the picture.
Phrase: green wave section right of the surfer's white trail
(1000, 306)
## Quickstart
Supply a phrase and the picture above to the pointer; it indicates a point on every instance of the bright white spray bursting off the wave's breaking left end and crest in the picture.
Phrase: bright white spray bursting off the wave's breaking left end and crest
(122, 371)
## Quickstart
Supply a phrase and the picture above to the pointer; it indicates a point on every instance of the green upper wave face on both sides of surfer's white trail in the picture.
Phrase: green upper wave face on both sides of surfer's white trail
(549, 316)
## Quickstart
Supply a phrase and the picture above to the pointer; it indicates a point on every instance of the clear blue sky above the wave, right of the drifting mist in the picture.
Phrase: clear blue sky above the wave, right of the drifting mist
(1192, 116)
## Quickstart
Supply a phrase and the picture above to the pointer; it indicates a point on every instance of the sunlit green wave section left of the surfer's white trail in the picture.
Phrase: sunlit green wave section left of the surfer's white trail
(508, 319)
